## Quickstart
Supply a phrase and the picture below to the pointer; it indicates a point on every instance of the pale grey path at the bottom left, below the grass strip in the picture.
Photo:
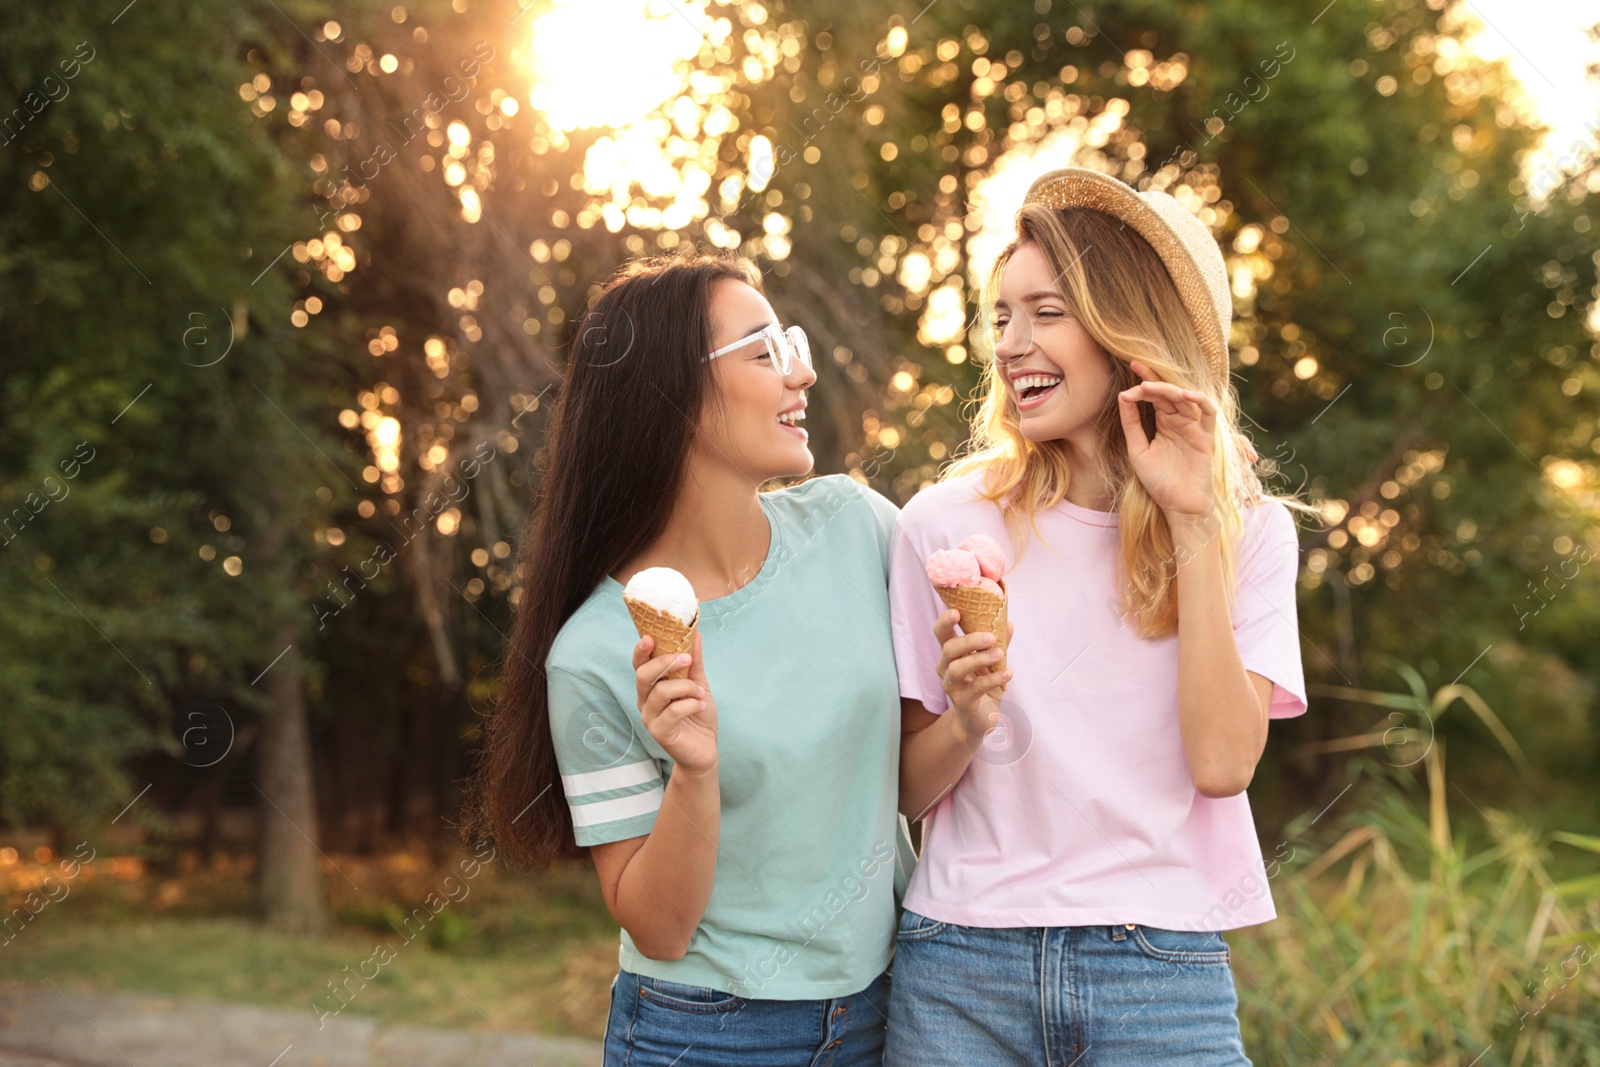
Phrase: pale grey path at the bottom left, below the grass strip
(42, 1026)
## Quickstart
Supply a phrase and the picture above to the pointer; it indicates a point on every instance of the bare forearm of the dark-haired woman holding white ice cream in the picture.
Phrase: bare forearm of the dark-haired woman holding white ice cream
(665, 889)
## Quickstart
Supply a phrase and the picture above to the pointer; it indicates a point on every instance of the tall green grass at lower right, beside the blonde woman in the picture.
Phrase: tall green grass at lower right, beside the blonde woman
(1415, 941)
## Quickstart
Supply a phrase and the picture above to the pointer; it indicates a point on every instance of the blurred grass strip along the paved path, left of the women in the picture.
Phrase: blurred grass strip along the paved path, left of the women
(530, 954)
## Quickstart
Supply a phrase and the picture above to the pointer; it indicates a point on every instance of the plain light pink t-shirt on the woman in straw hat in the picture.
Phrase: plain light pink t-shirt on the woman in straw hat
(1079, 809)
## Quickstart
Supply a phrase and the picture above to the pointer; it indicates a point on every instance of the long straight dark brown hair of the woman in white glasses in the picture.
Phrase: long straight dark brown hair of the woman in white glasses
(615, 455)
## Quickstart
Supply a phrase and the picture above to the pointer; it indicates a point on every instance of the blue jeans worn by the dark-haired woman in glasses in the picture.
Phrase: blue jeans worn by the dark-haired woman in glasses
(657, 1023)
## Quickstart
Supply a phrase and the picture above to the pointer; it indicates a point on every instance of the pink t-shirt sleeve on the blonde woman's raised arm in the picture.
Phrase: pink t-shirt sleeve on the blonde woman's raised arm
(1266, 628)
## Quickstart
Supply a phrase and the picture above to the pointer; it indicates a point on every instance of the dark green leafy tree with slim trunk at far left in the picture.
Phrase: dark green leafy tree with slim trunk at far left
(143, 217)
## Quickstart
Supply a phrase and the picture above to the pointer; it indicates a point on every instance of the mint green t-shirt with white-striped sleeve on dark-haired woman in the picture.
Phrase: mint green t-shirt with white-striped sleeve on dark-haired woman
(801, 660)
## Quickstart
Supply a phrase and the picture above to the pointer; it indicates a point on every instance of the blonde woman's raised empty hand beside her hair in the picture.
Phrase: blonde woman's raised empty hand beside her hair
(1175, 466)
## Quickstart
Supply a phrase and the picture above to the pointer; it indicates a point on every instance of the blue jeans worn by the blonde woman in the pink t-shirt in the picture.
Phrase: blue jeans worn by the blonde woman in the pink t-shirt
(1060, 996)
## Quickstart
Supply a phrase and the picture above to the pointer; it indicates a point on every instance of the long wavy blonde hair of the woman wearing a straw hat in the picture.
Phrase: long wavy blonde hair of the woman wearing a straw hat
(1121, 292)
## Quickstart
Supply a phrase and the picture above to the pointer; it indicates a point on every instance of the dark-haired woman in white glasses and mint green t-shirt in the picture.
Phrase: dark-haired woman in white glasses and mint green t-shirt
(743, 820)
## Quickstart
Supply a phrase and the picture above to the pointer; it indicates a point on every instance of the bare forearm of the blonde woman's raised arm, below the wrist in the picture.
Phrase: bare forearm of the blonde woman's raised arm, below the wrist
(1223, 724)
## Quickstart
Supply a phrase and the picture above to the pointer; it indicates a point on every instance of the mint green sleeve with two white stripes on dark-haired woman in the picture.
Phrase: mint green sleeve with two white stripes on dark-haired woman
(614, 786)
